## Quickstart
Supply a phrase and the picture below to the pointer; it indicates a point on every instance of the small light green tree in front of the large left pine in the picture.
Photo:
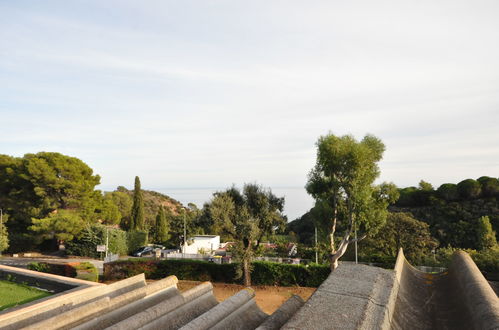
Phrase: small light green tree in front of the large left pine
(62, 225)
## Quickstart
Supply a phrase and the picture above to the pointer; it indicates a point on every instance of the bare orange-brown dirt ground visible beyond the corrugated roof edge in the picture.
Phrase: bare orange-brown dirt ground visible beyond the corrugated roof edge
(268, 298)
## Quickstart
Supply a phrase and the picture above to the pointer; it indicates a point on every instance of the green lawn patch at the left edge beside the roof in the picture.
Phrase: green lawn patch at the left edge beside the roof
(13, 294)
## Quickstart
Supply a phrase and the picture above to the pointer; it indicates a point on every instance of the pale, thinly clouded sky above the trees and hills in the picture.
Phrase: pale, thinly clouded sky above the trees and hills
(195, 96)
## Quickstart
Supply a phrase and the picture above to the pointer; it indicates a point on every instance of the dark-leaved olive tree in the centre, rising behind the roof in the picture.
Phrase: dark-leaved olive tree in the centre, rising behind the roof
(246, 217)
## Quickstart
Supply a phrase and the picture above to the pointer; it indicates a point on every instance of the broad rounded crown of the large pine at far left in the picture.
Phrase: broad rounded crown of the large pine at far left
(36, 185)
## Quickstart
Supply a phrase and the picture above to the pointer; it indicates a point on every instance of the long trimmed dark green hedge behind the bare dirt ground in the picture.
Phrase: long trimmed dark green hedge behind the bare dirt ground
(263, 273)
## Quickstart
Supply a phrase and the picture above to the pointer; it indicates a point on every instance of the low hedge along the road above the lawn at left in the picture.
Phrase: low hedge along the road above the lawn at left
(80, 270)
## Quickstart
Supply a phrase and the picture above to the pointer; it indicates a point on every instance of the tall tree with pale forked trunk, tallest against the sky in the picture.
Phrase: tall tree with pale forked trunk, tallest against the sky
(343, 177)
